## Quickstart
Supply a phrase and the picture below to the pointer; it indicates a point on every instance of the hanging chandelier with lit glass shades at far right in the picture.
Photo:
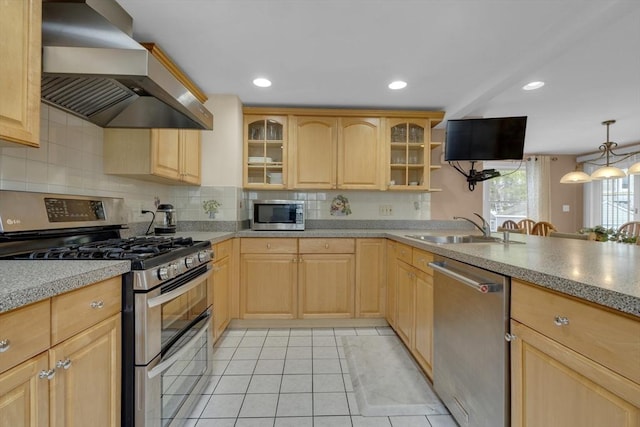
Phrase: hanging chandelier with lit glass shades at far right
(605, 171)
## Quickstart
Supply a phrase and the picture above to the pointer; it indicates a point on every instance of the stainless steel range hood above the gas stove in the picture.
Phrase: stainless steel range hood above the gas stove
(92, 67)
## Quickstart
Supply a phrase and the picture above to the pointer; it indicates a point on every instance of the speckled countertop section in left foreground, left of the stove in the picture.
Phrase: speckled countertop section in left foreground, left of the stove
(25, 282)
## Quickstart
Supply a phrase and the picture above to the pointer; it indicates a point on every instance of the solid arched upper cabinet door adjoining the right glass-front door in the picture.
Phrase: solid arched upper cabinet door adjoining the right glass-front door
(359, 154)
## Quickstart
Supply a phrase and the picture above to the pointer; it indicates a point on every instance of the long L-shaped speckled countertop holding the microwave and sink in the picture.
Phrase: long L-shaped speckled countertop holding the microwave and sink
(604, 273)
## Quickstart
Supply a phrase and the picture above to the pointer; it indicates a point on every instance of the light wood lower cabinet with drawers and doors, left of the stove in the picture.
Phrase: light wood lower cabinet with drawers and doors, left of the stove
(74, 380)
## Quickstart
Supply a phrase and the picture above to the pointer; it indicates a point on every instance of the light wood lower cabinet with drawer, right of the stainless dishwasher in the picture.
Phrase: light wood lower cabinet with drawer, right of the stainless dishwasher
(559, 355)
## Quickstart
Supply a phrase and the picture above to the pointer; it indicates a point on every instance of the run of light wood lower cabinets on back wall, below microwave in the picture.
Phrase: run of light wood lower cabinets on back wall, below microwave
(288, 278)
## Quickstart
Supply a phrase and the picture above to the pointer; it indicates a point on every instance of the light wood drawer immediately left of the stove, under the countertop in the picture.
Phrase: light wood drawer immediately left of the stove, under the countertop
(77, 310)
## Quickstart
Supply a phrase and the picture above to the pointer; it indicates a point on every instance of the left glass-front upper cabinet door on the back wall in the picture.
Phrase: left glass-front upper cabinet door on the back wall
(264, 150)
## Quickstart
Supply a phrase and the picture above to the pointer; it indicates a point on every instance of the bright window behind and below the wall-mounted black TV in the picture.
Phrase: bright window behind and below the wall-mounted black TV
(505, 197)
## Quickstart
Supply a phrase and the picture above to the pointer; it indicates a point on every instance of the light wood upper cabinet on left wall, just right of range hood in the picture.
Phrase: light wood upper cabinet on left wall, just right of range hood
(163, 155)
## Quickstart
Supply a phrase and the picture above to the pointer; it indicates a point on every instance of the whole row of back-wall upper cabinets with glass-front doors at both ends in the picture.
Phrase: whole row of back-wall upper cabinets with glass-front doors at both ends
(337, 149)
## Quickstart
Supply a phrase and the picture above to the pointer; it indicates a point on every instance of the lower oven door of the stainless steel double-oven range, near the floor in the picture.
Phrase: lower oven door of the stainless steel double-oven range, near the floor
(168, 388)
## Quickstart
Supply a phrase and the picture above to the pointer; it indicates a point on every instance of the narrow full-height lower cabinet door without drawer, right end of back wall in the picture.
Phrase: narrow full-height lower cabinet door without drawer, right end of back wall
(370, 278)
